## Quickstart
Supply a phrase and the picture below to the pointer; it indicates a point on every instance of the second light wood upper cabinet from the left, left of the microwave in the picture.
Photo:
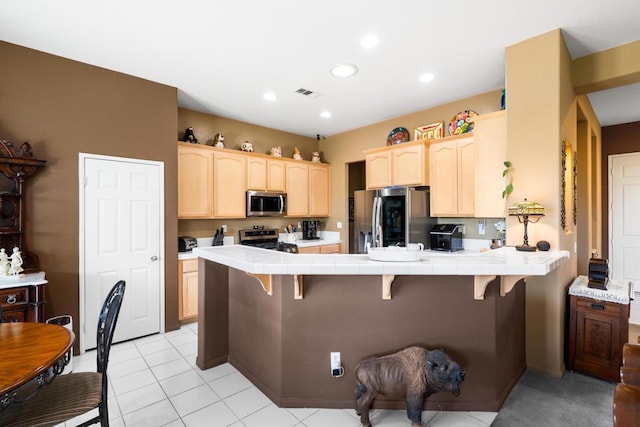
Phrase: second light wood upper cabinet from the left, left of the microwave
(229, 184)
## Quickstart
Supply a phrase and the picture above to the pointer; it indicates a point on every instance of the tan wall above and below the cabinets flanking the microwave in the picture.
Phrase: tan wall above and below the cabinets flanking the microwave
(235, 132)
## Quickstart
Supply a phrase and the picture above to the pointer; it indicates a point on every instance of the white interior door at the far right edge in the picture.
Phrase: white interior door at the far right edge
(624, 226)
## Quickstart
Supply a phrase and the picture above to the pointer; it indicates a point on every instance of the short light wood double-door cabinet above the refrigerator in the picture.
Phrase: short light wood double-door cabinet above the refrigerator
(401, 164)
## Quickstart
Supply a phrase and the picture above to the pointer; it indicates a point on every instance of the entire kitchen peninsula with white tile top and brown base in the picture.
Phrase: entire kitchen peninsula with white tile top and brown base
(277, 316)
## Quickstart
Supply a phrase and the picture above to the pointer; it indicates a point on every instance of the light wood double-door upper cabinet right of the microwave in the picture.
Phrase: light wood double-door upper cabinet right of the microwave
(307, 187)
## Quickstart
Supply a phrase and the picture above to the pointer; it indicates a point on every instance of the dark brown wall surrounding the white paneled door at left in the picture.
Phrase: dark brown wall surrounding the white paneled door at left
(63, 108)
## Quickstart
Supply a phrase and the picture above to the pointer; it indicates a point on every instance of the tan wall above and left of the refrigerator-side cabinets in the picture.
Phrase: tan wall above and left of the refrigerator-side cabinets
(347, 147)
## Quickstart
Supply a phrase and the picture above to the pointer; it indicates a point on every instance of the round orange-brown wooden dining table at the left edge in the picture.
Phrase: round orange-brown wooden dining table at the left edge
(28, 350)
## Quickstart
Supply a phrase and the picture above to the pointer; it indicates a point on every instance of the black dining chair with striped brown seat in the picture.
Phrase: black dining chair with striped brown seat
(68, 396)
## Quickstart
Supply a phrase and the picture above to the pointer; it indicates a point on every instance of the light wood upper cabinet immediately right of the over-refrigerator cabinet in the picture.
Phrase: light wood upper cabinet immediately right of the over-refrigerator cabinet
(452, 176)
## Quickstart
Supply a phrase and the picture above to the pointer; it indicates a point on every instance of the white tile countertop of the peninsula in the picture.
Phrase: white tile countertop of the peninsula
(503, 261)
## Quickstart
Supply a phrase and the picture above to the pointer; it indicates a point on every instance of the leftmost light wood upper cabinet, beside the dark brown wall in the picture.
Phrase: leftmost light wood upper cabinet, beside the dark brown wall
(195, 182)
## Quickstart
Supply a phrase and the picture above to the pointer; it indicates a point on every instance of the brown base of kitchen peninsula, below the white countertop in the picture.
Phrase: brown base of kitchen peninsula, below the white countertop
(282, 344)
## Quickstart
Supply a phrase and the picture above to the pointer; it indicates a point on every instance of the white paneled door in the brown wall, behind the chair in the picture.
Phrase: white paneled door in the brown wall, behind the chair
(121, 238)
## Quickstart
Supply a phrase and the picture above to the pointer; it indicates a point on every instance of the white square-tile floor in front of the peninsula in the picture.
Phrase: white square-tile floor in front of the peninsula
(154, 382)
